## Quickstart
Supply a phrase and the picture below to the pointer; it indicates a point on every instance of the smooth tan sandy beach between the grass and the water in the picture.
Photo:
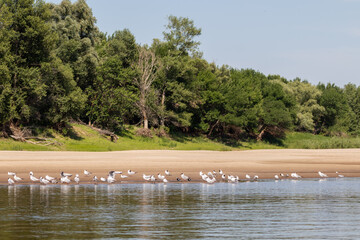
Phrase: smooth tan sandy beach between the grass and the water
(264, 163)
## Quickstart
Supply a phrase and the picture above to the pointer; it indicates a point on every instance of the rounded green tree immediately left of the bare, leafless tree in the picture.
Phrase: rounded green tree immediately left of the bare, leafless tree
(114, 94)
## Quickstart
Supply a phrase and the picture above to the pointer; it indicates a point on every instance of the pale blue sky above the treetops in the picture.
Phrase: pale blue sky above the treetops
(315, 40)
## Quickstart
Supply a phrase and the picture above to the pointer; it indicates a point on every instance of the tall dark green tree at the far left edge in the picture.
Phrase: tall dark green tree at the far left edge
(26, 43)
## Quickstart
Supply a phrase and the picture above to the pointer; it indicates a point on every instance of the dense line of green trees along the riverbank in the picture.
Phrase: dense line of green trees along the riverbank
(56, 66)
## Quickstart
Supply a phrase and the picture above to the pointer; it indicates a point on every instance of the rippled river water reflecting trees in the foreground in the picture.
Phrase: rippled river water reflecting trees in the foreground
(305, 209)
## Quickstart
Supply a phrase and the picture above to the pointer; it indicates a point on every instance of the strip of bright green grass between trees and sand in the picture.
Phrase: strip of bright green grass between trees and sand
(83, 138)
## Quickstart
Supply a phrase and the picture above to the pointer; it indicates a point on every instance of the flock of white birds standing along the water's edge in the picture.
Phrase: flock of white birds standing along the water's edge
(210, 177)
